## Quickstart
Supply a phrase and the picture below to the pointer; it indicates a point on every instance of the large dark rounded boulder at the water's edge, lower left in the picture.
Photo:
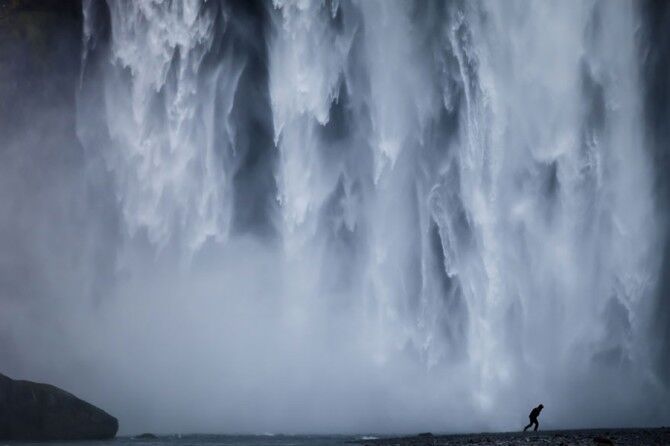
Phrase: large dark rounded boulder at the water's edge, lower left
(34, 411)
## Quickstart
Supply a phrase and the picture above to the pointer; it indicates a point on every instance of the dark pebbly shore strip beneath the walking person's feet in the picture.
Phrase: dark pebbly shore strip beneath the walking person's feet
(595, 437)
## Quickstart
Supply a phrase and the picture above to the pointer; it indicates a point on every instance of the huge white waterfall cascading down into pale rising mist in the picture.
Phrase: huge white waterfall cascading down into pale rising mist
(374, 215)
